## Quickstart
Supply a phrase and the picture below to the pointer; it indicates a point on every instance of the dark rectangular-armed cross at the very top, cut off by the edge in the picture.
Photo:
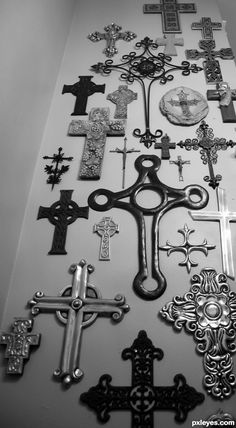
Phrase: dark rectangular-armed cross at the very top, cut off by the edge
(169, 10)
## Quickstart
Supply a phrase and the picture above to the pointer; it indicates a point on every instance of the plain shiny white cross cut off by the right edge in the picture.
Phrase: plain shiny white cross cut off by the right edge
(224, 217)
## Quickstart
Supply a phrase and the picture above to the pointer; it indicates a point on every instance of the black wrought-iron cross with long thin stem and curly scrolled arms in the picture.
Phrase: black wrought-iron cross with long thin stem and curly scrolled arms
(146, 66)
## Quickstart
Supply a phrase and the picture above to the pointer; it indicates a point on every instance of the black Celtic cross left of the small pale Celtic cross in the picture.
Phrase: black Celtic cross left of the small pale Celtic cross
(61, 214)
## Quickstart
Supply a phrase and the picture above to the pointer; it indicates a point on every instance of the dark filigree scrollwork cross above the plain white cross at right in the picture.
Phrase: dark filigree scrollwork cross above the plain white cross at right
(208, 146)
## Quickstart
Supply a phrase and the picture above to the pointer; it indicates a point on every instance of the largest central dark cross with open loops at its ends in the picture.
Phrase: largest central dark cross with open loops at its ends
(170, 198)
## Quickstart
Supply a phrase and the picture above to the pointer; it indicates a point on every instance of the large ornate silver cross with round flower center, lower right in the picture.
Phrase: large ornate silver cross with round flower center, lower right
(208, 311)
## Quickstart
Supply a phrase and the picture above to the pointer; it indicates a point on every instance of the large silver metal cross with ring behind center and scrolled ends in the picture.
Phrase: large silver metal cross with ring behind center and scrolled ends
(77, 307)
